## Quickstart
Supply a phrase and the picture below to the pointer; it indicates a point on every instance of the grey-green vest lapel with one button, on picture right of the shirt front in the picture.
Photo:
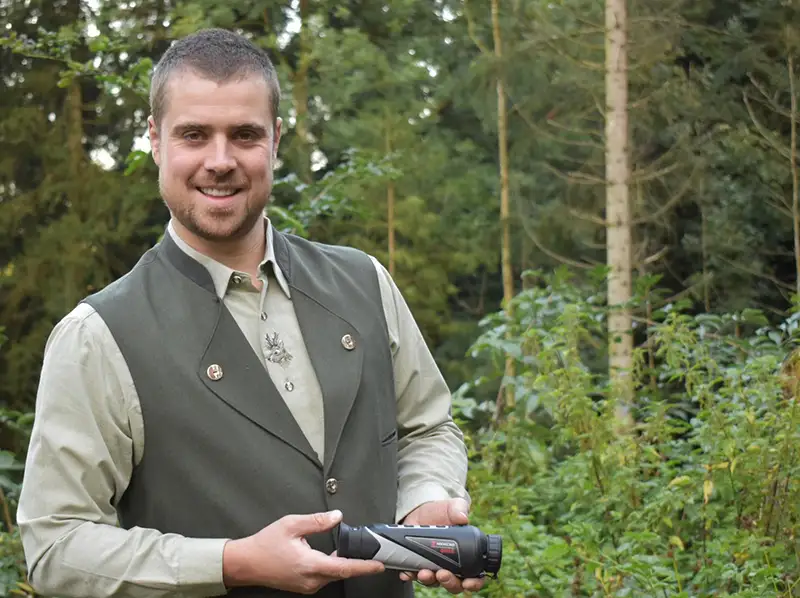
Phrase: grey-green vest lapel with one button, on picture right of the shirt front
(337, 362)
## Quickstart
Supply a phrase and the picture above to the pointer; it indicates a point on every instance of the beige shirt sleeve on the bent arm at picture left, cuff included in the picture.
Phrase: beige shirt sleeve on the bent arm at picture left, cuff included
(83, 447)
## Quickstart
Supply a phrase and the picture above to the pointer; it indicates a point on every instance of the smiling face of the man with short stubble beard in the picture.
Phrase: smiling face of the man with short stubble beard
(215, 149)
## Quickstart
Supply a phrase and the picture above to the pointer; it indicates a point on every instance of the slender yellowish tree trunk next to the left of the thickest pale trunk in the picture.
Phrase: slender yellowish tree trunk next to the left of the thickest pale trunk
(505, 219)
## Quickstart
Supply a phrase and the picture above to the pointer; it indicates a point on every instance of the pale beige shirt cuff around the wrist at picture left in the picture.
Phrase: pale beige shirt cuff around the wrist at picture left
(200, 567)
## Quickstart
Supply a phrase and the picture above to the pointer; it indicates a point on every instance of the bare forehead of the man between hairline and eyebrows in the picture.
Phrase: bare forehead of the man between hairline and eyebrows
(192, 97)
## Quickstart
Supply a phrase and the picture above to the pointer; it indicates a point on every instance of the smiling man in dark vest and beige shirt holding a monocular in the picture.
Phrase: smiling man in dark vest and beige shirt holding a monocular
(204, 423)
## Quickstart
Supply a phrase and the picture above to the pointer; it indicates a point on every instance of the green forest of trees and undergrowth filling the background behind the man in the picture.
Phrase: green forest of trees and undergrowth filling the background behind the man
(593, 210)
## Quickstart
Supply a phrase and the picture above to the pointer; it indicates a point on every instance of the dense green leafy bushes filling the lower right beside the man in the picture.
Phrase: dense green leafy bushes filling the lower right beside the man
(698, 497)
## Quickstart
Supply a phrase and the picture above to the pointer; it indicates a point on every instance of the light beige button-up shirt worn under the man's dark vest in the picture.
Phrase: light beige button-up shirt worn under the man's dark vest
(88, 436)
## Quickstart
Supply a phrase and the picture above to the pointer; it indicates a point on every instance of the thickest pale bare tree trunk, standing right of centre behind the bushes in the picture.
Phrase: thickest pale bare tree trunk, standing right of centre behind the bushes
(618, 234)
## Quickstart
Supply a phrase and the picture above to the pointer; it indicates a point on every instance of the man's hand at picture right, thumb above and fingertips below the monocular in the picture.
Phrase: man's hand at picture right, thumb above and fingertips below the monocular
(442, 512)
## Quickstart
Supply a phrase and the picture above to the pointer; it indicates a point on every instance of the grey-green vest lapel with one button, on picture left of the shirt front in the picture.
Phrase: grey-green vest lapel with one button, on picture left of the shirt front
(241, 370)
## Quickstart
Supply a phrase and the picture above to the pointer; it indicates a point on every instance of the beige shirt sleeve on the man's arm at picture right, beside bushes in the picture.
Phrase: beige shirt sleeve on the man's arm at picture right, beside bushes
(432, 458)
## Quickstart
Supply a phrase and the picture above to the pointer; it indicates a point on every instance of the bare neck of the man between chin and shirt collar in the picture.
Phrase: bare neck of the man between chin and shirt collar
(243, 253)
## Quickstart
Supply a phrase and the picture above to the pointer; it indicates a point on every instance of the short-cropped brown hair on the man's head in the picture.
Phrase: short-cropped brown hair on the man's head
(218, 55)
